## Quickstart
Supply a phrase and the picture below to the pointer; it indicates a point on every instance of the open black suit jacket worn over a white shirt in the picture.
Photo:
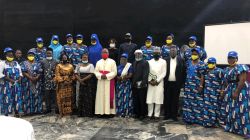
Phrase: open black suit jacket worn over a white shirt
(180, 71)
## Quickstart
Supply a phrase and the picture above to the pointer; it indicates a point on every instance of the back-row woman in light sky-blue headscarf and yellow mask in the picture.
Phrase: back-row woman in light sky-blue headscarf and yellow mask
(56, 46)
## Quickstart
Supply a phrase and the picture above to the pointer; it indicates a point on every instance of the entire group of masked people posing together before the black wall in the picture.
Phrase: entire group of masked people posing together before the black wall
(128, 81)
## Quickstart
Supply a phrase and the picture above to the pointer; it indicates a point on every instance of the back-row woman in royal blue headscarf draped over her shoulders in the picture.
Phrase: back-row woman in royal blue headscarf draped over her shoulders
(95, 50)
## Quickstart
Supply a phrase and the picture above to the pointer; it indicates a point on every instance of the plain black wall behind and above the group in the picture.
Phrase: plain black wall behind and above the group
(21, 21)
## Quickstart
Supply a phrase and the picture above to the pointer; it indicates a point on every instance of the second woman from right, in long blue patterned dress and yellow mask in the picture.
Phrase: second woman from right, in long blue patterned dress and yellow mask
(213, 85)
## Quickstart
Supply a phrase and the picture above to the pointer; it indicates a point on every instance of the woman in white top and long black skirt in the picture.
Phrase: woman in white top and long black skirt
(85, 75)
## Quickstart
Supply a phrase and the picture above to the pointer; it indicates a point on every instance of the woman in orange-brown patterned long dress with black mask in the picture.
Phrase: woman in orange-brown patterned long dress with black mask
(64, 77)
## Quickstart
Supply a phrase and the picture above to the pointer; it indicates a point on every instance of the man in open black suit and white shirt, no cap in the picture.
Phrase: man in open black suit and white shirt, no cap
(174, 80)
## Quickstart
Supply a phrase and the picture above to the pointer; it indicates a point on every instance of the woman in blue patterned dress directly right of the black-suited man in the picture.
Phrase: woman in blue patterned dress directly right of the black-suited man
(193, 95)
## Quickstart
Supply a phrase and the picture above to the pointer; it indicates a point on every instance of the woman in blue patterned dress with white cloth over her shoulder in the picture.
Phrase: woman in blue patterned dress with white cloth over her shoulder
(124, 106)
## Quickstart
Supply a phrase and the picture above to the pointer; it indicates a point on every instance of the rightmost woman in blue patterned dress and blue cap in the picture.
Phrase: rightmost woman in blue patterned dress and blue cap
(236, 100)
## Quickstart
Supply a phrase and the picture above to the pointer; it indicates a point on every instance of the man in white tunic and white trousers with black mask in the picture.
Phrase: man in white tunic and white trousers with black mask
(155, 94)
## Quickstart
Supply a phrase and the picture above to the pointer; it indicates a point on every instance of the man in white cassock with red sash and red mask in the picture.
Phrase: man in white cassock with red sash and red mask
(105, 73)
